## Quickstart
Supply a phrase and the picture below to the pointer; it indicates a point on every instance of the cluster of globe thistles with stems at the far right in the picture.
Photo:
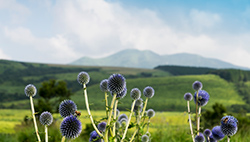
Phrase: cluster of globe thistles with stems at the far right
(228, 126)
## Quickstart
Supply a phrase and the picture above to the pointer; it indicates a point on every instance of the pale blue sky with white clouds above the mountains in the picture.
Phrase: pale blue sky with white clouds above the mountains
(61, 31)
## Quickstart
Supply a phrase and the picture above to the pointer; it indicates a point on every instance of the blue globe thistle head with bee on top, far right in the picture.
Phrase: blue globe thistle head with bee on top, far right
(229, 125)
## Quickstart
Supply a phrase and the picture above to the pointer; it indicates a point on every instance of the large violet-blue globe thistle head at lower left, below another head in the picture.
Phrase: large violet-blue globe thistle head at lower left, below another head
(71, 127)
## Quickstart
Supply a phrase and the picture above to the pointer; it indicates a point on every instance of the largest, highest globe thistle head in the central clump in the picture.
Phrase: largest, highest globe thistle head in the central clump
(116, 83)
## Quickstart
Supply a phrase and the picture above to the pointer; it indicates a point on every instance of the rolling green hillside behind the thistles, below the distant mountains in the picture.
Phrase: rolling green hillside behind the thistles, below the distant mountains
(169, 90)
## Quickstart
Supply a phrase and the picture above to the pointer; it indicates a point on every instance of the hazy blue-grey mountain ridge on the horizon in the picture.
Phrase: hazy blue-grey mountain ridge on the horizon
(148, 59)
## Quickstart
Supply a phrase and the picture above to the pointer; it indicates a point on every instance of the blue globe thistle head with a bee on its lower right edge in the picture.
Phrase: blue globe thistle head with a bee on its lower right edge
(67, 108)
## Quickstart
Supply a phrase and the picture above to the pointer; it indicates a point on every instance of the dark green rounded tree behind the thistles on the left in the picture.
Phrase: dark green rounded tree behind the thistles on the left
(51, 94)
